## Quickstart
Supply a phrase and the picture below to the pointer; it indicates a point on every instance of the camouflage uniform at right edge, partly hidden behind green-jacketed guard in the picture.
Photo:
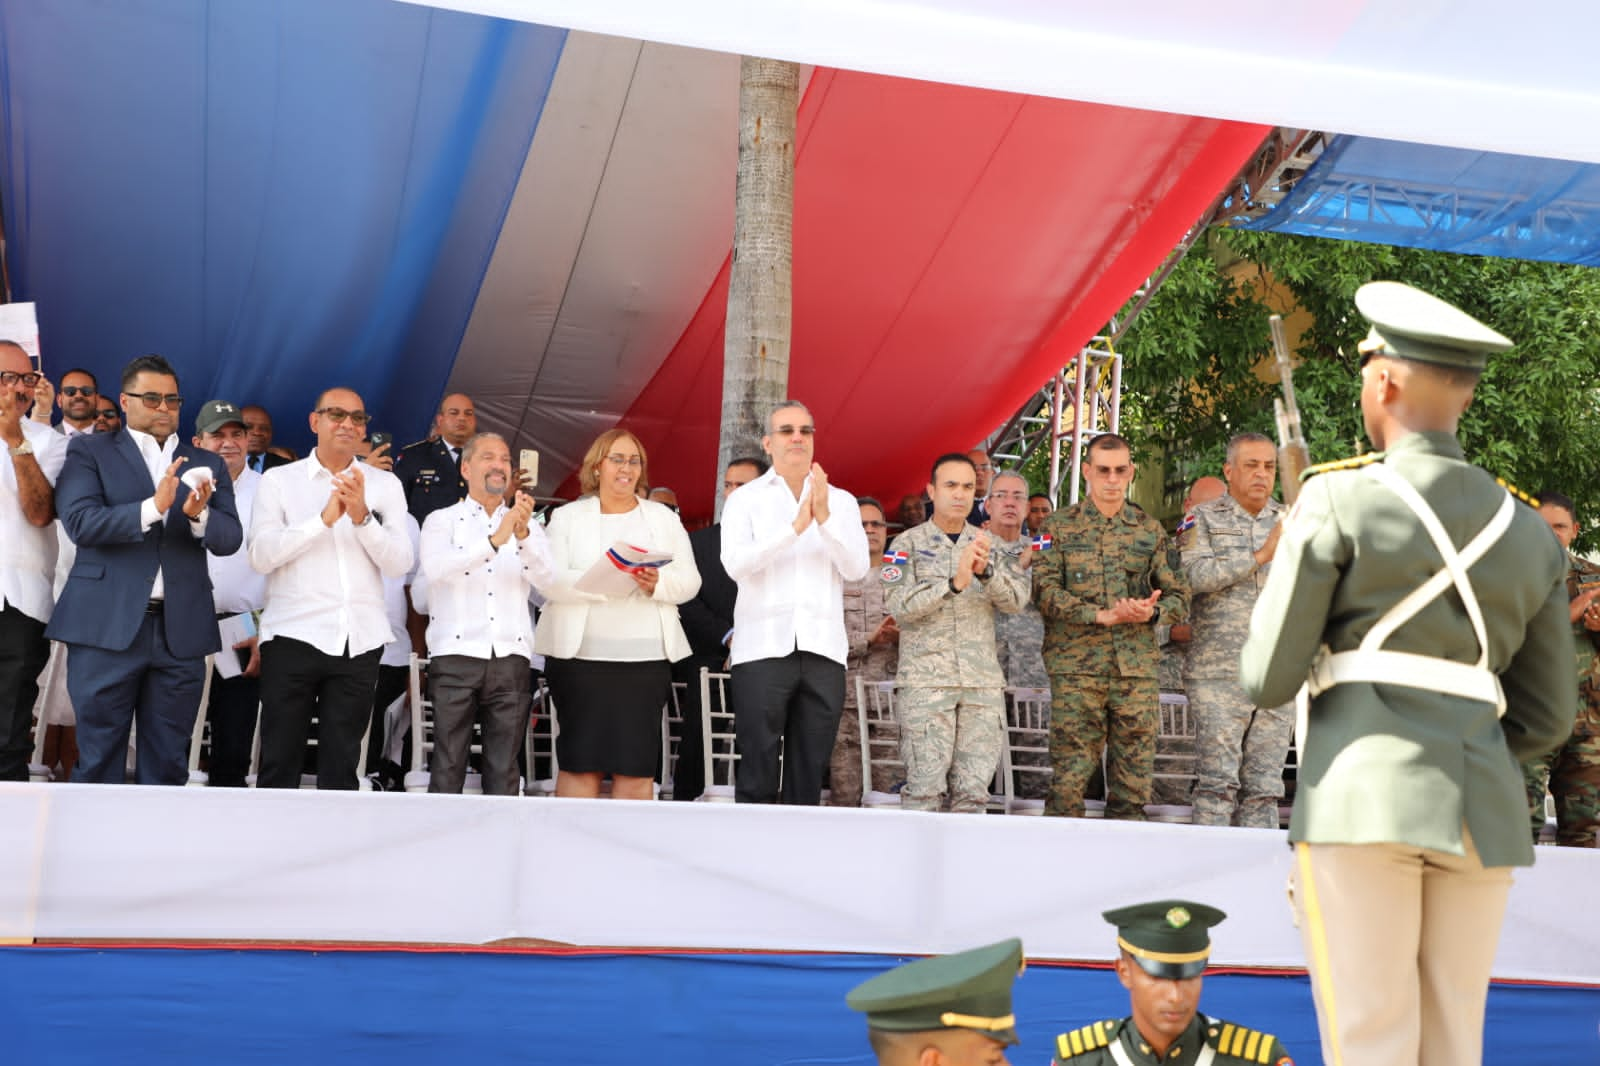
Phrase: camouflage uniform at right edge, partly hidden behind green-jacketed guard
(1574, 769)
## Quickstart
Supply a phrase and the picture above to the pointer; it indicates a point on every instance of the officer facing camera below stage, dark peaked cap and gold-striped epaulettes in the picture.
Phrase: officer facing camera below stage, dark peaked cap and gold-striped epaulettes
(1166, 948)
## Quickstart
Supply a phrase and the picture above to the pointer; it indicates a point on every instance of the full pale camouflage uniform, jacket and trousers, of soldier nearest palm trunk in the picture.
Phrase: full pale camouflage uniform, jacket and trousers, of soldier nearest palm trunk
(950, 686)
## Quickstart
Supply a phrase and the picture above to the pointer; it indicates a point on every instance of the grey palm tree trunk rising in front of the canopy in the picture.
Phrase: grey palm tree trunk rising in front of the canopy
(756, 345)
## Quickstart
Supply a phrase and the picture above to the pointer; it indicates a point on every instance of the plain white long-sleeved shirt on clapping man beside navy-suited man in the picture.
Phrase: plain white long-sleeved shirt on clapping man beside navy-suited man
(326, 585)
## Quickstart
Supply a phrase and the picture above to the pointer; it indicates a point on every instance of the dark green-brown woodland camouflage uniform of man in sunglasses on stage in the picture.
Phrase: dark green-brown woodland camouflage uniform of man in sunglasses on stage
(1103, 678)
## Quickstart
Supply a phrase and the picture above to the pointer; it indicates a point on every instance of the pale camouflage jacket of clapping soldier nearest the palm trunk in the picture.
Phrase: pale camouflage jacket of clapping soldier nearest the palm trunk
(948, 639)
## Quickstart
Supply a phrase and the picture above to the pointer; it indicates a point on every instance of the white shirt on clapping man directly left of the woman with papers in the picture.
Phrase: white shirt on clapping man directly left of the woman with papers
(479, 595)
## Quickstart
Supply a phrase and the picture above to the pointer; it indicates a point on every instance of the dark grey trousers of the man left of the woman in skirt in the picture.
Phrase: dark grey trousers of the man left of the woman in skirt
(466, 691)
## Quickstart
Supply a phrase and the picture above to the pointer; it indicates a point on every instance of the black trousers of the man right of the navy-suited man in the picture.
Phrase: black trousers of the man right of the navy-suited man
(300, 684)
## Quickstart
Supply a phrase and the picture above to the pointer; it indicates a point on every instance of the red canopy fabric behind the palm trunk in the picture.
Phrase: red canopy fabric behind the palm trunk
(953, 249)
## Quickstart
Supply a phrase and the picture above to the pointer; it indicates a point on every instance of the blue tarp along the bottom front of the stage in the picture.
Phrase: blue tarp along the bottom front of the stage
(167, 1008)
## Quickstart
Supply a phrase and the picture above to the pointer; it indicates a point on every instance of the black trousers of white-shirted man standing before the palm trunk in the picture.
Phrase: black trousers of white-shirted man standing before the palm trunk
(790, 707)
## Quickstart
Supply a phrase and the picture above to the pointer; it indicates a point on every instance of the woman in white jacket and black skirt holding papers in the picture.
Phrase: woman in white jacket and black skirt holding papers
(610, 630)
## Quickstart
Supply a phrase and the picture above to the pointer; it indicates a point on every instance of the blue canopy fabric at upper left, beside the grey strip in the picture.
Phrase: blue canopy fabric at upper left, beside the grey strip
(278, 198)
